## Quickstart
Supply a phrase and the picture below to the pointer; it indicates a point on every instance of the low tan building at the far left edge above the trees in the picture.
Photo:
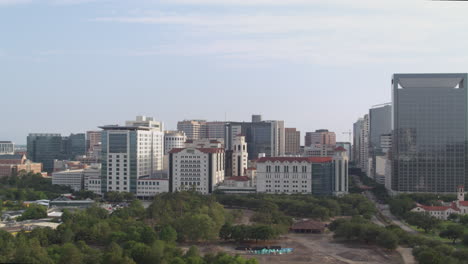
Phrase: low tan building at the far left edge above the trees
(10, 164)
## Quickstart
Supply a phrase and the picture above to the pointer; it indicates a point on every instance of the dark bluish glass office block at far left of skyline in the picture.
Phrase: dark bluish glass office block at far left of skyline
(44, 148)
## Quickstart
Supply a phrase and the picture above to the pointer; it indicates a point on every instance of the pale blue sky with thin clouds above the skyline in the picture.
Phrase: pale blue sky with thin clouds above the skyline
(68, 66)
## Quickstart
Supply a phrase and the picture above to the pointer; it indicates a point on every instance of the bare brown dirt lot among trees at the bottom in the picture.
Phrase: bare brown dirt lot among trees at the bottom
(315, 248)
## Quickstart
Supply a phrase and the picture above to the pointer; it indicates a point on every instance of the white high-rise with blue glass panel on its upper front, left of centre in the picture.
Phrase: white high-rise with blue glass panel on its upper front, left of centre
(129, 153)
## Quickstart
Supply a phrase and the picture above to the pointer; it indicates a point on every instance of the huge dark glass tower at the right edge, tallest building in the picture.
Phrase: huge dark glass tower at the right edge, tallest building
(429, 132)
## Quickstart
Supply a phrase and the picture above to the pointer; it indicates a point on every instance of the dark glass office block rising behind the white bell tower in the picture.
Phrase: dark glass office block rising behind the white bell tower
(261, 137)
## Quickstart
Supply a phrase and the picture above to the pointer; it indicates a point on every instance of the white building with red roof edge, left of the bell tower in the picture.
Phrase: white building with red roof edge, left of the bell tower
(201, 169)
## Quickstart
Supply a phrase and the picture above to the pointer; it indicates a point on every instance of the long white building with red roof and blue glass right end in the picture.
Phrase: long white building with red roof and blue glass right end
(306, 175)
